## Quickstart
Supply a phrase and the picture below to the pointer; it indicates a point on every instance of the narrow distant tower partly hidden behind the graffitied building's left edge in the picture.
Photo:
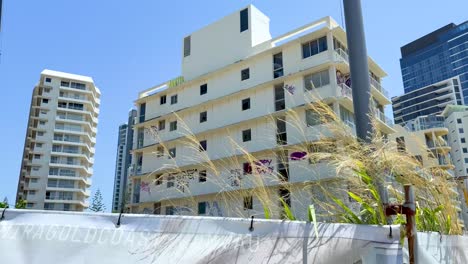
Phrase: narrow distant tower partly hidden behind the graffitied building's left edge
(123, 160)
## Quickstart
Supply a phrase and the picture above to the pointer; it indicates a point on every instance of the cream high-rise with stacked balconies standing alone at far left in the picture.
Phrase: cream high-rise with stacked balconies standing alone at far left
(58, 155)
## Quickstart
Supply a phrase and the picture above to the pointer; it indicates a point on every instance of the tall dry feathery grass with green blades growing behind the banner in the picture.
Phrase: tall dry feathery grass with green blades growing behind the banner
(350, 195)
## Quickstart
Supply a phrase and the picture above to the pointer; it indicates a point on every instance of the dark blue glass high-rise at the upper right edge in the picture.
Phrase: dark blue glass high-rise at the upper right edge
(435, 57)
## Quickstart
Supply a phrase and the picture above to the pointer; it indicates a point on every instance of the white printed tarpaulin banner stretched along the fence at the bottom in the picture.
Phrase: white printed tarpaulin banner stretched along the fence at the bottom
(28, 236)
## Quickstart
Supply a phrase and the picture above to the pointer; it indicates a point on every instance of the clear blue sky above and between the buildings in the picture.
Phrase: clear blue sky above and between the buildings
(128, 46)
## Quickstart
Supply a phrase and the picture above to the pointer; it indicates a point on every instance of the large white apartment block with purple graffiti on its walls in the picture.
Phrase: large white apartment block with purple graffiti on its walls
(243, 93)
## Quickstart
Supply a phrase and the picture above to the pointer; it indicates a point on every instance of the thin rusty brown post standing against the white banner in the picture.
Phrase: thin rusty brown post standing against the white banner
(411, 231)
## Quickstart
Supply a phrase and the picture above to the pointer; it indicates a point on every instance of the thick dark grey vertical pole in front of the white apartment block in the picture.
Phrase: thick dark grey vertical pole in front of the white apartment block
(359, 67)
